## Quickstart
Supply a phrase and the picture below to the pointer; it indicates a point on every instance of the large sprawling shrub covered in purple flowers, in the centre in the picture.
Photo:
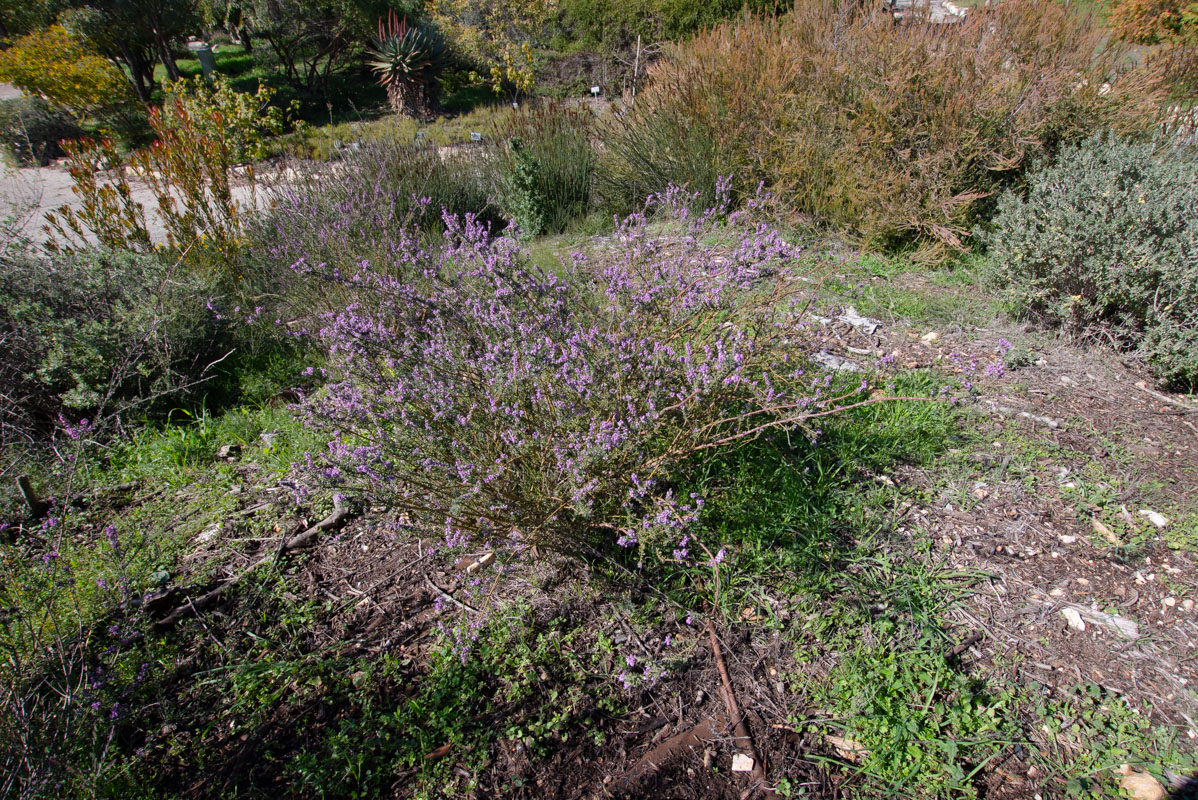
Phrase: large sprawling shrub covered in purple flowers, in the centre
(485, 397)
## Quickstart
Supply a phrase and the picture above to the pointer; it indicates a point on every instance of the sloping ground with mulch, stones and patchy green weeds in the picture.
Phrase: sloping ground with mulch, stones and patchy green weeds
(993, 598)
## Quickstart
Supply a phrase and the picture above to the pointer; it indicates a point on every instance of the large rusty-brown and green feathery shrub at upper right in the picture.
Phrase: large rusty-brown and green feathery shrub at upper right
(894, 132)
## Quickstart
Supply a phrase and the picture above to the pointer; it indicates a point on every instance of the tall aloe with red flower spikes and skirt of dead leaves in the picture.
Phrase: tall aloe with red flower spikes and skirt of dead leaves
(408, 62)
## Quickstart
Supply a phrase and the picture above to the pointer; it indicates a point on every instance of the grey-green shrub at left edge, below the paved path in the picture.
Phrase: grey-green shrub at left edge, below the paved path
(96, 334)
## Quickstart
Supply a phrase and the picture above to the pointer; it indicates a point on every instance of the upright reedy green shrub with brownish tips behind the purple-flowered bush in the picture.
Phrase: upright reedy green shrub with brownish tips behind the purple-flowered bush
(547, 167)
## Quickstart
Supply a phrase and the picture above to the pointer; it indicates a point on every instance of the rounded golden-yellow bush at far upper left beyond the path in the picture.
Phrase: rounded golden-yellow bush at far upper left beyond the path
(53, 64)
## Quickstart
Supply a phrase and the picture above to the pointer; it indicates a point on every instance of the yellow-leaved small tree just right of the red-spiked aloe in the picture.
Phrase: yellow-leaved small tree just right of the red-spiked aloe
(498, 35)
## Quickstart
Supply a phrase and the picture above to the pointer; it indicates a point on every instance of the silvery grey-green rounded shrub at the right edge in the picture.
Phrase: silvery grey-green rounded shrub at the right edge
(1106, 240)
